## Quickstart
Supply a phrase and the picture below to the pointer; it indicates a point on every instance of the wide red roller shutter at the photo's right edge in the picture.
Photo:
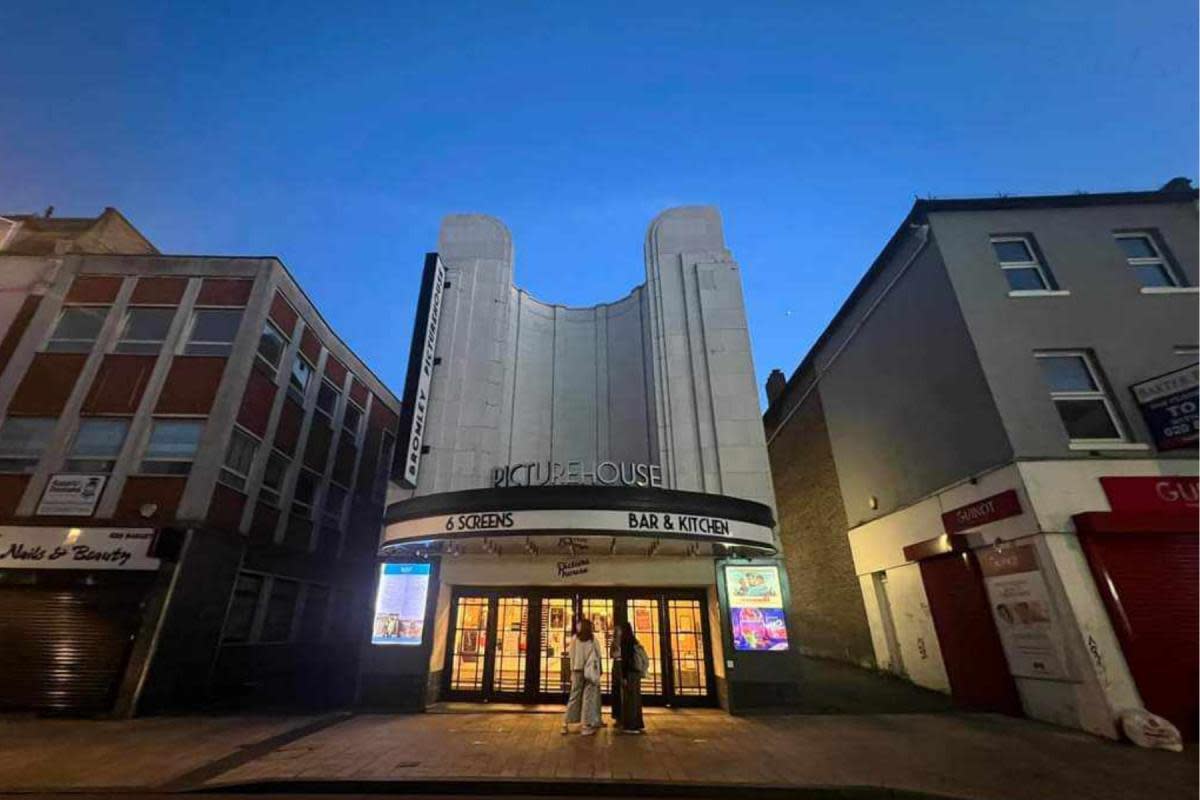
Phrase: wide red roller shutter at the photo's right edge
(1149, 582)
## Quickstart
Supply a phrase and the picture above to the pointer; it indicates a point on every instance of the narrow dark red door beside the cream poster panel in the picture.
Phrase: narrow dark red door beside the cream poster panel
(967, 633)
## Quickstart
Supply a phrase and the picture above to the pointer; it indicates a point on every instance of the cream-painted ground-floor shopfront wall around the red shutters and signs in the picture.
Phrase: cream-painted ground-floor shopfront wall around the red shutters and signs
(1101, 685)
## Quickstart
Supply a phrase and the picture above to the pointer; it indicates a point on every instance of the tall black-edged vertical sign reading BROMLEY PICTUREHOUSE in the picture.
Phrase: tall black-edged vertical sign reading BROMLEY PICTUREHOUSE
(421, 370)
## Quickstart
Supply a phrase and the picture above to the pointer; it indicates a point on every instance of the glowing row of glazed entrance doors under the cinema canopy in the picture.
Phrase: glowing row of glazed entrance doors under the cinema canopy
(513, 647)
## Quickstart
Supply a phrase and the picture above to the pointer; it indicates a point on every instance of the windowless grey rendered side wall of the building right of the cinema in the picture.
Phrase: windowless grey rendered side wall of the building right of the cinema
(905, 400)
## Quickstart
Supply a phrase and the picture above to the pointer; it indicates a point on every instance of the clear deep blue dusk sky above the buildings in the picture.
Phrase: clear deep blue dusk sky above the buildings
(338, 136)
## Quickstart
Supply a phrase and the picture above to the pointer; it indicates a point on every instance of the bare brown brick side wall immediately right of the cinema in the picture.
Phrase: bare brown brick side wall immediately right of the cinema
(827, 615)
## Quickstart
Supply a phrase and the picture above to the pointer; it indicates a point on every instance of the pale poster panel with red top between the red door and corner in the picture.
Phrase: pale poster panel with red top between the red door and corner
(1024, 613)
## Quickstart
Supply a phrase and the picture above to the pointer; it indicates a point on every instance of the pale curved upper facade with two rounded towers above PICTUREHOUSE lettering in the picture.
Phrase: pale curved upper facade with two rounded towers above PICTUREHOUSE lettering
(663, 376)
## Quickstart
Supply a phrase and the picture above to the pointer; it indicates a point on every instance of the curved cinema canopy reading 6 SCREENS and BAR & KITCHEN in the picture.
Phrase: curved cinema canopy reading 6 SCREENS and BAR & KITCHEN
(619, 521)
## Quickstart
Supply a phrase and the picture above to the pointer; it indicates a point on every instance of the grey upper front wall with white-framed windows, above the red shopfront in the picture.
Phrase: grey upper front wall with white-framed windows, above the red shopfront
(1132, 335)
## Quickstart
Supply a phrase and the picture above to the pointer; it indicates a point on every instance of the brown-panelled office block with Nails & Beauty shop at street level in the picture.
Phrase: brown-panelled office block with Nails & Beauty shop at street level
(193, 473)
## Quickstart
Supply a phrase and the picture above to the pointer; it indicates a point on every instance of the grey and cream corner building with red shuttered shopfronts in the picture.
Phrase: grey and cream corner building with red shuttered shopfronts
(1018, 512)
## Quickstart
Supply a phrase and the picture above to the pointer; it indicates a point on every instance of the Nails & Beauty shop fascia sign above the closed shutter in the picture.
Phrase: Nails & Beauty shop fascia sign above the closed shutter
(76, 549)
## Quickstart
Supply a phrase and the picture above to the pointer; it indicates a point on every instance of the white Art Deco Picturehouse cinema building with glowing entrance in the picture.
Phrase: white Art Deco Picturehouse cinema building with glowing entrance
(604, 462)
